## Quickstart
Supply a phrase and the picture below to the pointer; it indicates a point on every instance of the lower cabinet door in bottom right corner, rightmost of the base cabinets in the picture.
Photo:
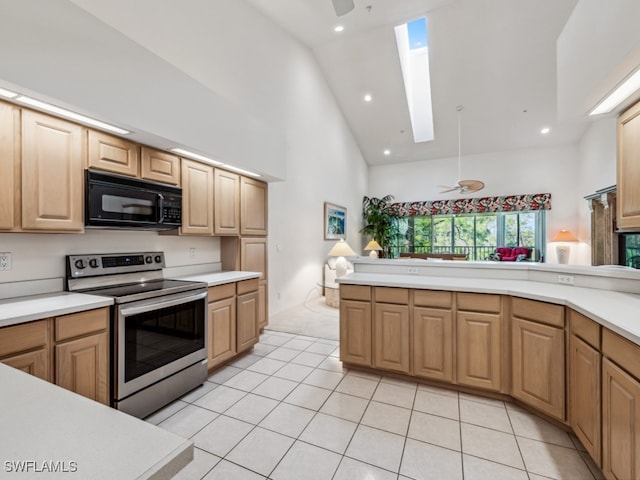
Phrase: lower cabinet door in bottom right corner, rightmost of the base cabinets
(620, 423)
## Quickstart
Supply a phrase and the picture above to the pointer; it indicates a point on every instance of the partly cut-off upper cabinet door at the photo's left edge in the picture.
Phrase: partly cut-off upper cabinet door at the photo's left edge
(9, 149)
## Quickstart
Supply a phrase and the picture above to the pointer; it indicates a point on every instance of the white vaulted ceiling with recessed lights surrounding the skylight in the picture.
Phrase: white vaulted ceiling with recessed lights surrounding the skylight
(496, 58)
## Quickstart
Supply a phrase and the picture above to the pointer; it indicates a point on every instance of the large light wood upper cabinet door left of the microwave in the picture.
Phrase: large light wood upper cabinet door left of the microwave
(53, 159)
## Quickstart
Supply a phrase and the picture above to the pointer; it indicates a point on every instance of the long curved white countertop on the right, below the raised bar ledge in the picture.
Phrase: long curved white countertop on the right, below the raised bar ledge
(614, 310)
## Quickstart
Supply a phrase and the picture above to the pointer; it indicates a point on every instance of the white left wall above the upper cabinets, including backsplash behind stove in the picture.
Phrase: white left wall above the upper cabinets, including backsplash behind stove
(231, 82)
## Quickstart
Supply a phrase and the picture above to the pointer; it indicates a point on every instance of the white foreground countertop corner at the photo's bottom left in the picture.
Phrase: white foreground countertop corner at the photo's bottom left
(41, 422)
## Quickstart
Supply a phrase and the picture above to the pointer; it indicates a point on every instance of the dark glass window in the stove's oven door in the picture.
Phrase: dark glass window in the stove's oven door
(159, 337)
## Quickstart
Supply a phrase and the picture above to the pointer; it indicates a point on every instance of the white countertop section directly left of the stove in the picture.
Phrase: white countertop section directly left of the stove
(35, 307)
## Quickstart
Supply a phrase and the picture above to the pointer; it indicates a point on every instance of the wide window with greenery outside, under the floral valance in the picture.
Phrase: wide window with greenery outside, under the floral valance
(476, 235)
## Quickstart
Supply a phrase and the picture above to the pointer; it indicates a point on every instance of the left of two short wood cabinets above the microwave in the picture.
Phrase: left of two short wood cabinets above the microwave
(113, 154)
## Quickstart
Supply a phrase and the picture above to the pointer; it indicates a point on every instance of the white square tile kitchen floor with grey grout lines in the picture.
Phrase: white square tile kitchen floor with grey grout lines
(288, 410)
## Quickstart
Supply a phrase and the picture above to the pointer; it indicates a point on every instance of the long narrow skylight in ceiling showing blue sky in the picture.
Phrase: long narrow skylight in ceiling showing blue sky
(413, 50)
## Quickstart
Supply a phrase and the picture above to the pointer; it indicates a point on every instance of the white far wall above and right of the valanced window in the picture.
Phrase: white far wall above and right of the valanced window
(554, 170)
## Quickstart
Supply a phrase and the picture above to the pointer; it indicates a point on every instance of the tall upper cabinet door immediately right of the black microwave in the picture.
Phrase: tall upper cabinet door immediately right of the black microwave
(197, 198)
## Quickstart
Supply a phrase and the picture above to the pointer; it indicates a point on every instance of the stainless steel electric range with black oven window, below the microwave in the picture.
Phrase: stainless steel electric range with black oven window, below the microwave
(158, 327)
